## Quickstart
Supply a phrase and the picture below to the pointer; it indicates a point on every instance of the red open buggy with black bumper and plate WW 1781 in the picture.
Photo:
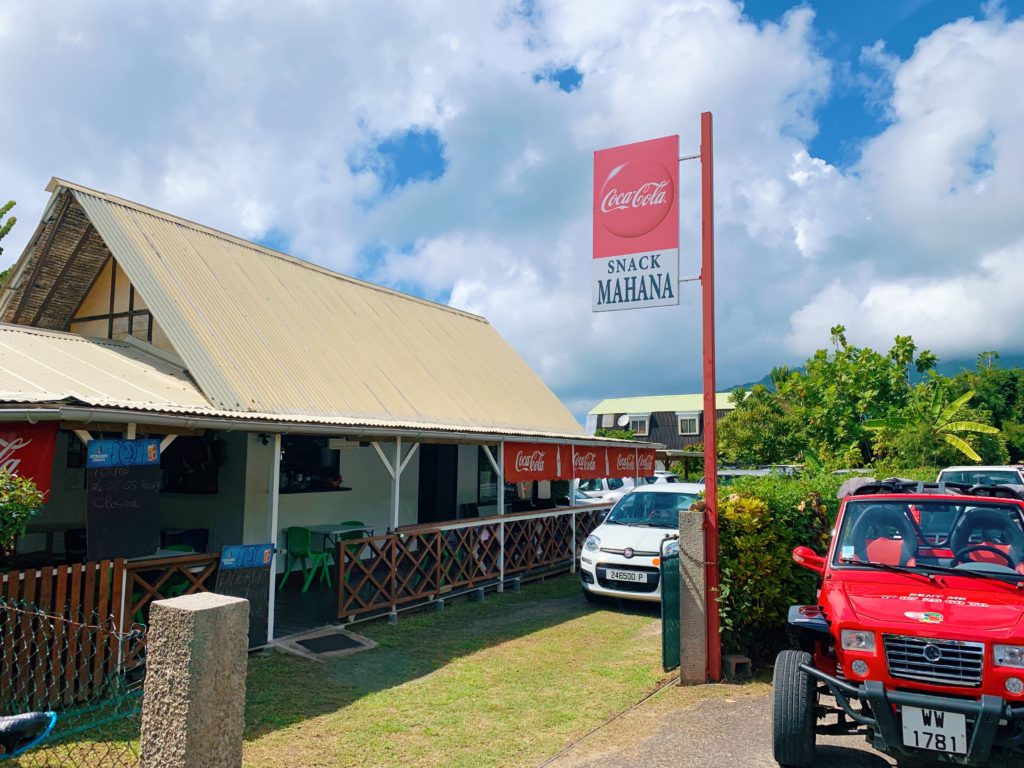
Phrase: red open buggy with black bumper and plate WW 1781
(918, 639)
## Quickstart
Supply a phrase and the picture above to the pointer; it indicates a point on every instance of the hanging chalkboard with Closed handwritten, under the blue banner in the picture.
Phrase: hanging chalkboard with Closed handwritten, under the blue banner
(122, 513)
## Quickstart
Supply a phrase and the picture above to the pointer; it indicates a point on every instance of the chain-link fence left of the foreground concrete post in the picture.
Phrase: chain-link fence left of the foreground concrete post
(84, 668)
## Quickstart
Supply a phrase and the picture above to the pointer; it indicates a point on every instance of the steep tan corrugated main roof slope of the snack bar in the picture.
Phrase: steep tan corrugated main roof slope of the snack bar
(266, 333)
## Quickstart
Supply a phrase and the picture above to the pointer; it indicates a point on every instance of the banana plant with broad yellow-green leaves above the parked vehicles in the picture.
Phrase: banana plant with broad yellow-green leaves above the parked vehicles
(929, 419)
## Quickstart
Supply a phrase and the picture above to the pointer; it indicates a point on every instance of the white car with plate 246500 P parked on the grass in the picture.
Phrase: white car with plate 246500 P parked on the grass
(622, 557)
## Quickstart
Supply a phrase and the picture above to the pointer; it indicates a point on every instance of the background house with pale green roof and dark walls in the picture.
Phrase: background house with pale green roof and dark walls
(676, 421)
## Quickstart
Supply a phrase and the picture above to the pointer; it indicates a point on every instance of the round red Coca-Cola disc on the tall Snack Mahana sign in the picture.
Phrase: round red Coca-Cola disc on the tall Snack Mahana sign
(636, 198)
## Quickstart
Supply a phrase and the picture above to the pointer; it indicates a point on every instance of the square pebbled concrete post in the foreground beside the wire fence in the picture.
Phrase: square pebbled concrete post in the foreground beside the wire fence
(195, 696)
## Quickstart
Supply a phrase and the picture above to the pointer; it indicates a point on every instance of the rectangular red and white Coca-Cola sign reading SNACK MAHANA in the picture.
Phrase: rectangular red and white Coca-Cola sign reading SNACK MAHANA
(636, 226)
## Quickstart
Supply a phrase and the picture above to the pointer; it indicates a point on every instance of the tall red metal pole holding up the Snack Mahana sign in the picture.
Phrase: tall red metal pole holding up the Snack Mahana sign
(710, 411)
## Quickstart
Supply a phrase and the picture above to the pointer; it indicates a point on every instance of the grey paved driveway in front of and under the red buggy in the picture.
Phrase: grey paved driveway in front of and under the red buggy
(730, 730)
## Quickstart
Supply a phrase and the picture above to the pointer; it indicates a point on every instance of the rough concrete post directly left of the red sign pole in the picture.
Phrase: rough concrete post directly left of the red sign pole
(693, 605)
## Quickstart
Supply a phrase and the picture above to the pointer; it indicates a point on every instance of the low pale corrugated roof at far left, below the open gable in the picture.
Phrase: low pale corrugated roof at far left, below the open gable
(50, 367)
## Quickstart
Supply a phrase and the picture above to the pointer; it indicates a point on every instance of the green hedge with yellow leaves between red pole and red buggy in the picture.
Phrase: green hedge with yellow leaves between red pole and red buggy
(761, 522)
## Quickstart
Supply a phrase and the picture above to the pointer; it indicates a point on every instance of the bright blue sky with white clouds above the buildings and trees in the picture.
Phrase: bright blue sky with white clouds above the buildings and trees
(868, 158)
